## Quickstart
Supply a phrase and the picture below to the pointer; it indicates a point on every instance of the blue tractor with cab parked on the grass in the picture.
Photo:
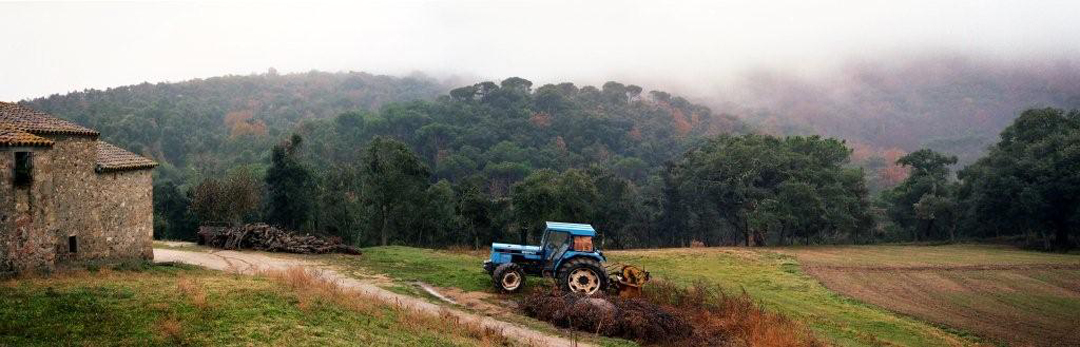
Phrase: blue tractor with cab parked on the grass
(566, 252)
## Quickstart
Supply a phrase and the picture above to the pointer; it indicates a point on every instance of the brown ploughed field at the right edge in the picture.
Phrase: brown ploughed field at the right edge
(1005, 295)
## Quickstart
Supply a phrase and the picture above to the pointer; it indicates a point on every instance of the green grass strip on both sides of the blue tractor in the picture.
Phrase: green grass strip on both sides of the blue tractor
(776, 279)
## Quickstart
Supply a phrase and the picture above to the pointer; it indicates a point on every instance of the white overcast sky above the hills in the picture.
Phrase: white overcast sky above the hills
(58, 48)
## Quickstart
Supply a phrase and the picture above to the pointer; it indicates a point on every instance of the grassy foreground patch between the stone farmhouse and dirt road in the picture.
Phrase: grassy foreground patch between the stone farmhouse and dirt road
(179, 305)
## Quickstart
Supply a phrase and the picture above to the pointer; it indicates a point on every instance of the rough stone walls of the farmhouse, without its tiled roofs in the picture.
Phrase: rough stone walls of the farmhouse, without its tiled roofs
(111, 216)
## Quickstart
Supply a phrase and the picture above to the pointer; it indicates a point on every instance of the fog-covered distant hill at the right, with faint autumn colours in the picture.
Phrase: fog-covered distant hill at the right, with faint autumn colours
(949, 103)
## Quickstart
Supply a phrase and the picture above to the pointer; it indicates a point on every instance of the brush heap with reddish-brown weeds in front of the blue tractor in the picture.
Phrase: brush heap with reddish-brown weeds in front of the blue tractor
(669, 315)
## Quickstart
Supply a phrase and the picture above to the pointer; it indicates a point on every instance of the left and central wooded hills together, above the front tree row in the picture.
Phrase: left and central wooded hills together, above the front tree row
(511, 128)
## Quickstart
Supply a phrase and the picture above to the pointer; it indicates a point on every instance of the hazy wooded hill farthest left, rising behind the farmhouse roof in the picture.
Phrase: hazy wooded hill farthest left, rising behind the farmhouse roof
(213, 125)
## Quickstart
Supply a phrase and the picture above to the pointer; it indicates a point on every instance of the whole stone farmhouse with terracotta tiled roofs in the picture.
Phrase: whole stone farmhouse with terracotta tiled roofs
(67, 197)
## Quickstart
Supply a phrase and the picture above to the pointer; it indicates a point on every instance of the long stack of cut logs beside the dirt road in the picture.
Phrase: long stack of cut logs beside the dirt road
(262, 237)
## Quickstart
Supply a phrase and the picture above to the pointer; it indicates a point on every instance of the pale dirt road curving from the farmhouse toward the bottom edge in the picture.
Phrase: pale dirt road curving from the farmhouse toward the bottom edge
(252, 263)
